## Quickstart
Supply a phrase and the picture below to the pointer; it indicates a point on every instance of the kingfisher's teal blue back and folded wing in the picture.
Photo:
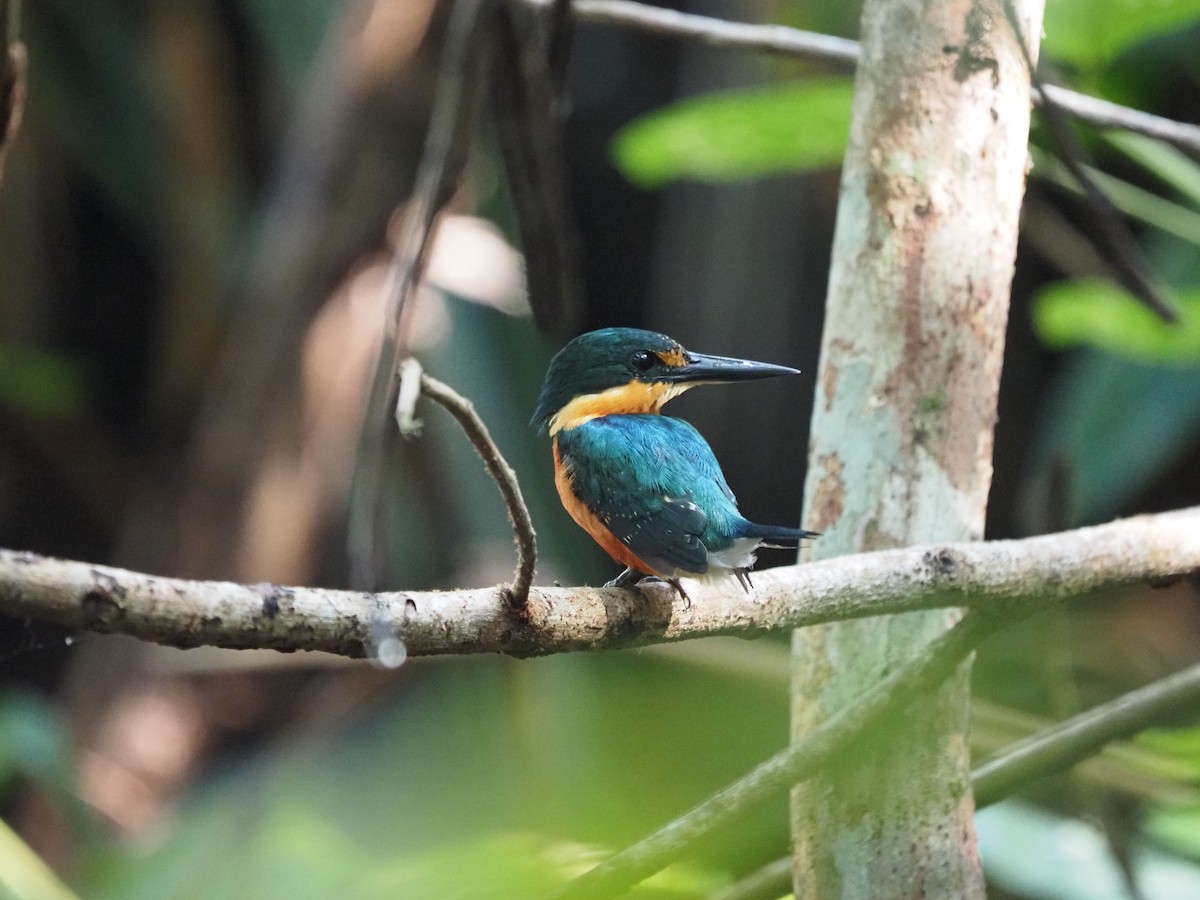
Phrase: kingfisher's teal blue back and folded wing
(656, 484)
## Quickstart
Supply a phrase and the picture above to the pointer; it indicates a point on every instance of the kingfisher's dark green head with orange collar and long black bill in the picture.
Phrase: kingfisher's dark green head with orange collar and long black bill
(628, 370)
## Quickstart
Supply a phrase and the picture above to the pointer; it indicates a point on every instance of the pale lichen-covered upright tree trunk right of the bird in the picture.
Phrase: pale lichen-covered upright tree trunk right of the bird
(903, 427)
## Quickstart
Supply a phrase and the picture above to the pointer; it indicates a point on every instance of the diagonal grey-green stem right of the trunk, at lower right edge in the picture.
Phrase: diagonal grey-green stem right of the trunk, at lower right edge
(1063, 746)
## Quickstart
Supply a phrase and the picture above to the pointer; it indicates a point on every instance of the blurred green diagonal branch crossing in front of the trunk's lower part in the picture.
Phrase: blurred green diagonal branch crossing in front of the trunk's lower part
(932, 667)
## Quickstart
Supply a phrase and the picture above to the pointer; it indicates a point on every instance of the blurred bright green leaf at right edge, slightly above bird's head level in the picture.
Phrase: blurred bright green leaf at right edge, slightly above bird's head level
(1102, 315)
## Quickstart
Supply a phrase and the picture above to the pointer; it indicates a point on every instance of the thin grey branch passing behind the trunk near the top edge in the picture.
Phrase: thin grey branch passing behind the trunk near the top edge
(783, 41)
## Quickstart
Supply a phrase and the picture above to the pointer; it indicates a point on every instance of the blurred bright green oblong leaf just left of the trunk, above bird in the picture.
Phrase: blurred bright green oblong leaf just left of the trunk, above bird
(740, 135)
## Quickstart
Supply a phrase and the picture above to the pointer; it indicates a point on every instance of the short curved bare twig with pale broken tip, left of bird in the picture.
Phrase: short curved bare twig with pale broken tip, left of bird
(464, 412)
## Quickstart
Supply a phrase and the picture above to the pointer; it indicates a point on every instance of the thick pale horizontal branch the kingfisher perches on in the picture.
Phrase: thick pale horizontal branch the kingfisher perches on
(985, 575)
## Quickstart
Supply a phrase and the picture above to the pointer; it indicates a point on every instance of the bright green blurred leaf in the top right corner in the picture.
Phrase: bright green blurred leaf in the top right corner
(1093, 33)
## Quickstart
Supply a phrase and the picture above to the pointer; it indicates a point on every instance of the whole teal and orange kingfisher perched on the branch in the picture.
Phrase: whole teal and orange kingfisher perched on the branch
(647, 488)
